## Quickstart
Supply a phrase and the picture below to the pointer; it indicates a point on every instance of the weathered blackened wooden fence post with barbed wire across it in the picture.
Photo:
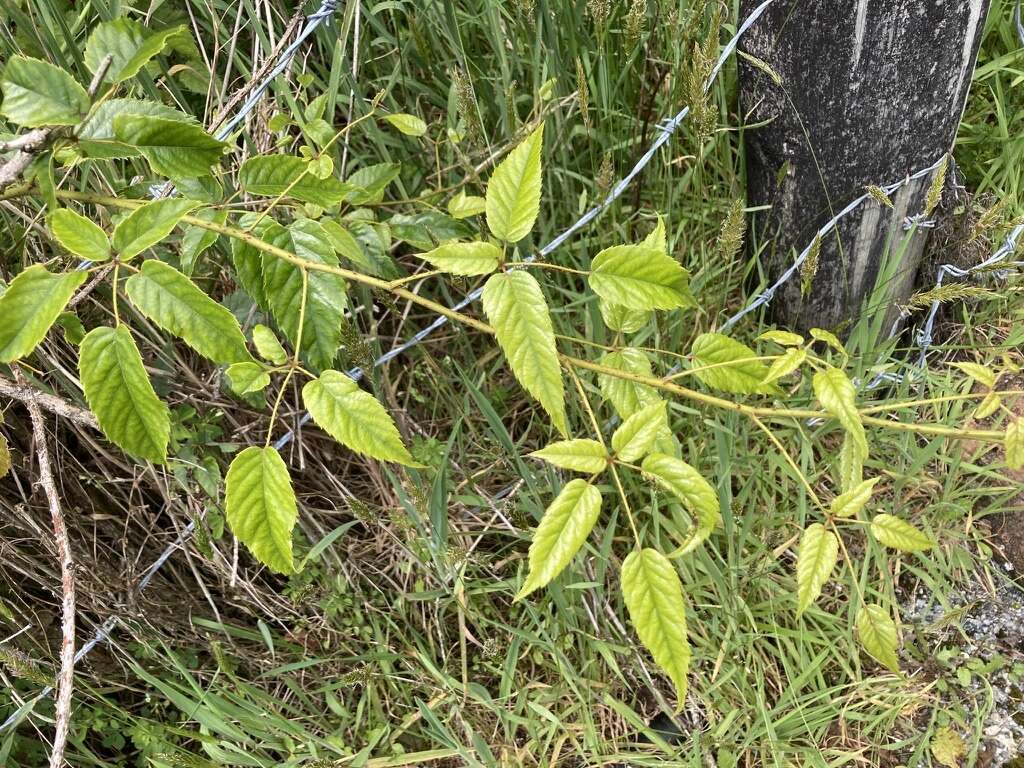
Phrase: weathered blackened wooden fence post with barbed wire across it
(872, 91)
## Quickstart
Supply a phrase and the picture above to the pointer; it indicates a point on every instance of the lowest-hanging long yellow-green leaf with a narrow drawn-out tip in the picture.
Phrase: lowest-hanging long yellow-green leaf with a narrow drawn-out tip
(655, 599)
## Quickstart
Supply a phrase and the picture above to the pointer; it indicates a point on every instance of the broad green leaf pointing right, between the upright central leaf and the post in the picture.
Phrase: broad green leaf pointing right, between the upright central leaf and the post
(641, 278)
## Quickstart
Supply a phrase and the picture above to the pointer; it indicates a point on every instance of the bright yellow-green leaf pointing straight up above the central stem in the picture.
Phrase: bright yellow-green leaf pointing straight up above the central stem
(514, 198)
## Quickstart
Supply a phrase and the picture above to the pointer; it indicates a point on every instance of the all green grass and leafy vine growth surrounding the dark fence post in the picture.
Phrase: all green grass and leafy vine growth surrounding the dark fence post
(422, 580)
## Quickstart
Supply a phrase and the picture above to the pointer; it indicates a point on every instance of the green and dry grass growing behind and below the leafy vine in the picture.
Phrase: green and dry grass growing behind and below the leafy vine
(399, 644)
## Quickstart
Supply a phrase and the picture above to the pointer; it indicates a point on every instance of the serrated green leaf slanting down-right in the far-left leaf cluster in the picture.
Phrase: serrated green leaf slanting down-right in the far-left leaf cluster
(179, 307)
